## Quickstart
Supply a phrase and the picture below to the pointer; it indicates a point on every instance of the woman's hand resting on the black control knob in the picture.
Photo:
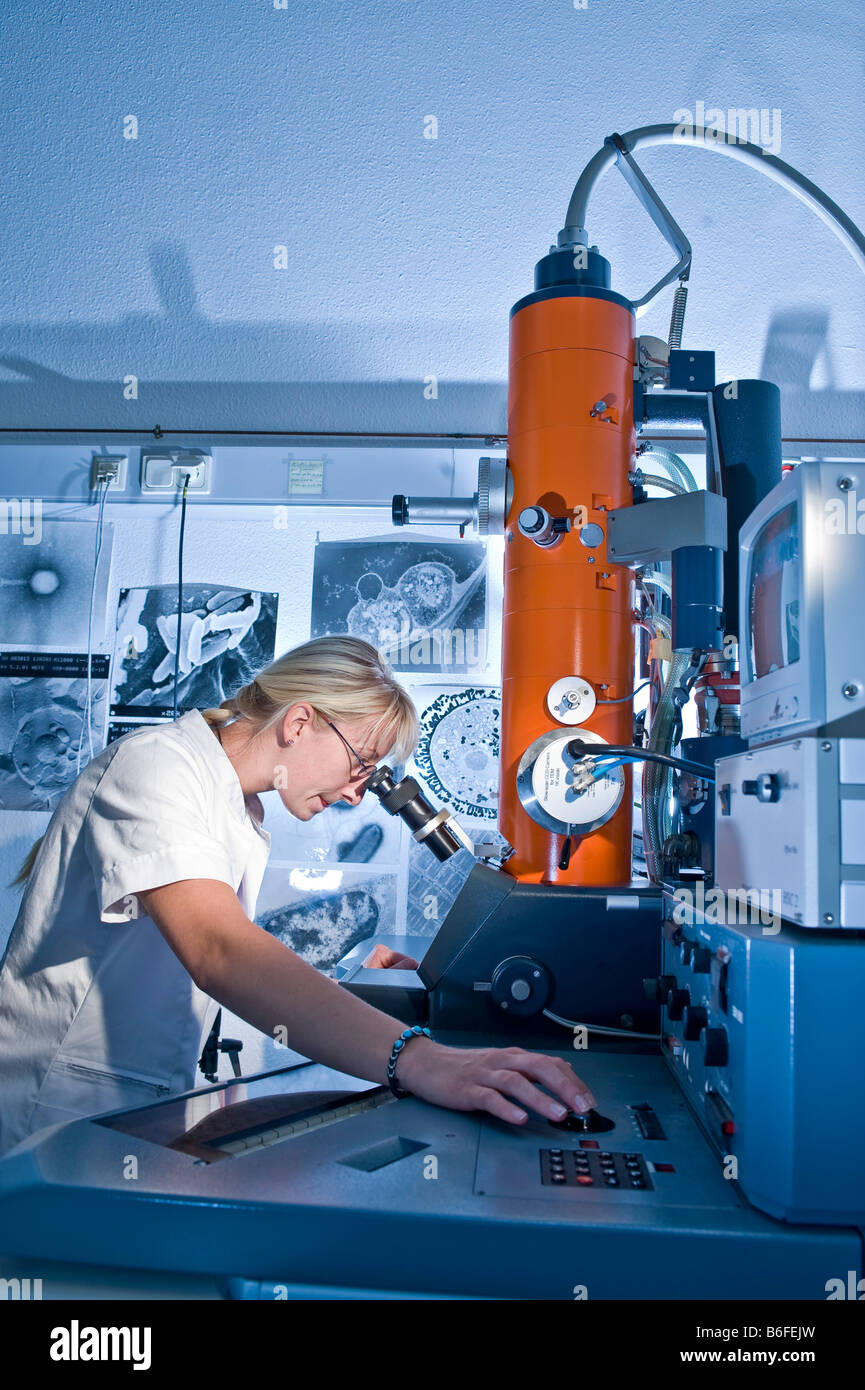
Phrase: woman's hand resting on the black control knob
(492, 1079)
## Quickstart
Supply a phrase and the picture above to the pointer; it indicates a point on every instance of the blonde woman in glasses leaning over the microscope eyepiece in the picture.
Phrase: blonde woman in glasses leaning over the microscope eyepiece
(141, 896)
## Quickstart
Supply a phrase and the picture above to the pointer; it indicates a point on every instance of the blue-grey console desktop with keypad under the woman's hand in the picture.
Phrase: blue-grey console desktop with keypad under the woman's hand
(361, 1192)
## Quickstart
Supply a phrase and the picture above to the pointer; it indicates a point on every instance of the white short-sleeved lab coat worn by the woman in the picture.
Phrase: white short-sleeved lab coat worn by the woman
(97, 1013)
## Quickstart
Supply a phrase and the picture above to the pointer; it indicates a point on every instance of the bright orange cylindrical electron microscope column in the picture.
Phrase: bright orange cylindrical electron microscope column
(567, 611)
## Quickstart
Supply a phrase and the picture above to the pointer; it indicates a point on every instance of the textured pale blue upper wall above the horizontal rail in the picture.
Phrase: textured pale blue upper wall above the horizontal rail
(302, 126)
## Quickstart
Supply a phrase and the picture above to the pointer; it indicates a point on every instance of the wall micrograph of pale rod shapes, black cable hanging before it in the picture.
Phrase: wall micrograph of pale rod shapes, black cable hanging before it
(227, 636)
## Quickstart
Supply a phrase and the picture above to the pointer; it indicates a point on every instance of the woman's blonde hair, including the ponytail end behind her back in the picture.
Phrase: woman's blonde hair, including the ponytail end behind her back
(341, 678)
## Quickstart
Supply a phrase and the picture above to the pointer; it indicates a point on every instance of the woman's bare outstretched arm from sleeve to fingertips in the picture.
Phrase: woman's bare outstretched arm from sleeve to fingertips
(262, 981)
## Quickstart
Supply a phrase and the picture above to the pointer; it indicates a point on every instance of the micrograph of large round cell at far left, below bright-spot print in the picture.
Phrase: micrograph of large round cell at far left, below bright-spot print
(47, 736)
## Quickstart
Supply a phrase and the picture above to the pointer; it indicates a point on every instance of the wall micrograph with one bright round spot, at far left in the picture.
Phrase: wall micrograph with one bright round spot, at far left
(48, 578)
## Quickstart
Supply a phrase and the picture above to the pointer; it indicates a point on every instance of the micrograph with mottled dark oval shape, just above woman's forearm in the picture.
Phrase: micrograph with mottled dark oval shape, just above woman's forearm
(325, 913)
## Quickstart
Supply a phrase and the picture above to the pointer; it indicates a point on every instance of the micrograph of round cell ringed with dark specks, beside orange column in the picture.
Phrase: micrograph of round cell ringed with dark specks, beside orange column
(458, 755)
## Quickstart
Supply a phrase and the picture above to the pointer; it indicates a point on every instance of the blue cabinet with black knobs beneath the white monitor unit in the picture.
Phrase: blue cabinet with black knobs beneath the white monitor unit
(754, 1018)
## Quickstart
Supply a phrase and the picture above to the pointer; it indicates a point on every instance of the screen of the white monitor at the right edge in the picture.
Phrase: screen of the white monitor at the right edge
(775, 594)
